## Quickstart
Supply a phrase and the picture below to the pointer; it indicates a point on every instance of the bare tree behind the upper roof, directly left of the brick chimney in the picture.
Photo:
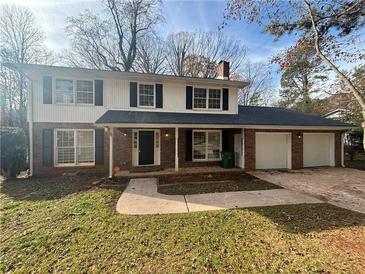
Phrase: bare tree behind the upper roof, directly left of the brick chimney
(197, 53)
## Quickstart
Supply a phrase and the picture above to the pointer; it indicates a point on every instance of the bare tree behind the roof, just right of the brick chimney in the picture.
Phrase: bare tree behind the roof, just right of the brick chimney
(257, 93)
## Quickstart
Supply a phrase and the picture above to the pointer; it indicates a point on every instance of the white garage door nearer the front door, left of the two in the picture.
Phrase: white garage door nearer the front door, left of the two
(273, 150)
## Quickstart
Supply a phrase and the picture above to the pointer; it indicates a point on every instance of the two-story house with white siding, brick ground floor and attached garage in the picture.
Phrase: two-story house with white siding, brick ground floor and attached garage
(106, 120)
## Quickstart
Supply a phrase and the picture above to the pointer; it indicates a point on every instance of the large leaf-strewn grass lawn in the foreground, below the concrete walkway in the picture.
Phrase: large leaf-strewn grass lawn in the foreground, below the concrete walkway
(65, 225)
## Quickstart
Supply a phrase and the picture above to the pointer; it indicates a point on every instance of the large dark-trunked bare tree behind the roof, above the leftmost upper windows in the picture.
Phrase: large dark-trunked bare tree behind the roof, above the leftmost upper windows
(98, 45)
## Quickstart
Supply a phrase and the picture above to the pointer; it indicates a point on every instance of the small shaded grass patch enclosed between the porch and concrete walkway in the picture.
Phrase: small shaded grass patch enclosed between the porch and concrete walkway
(242, 183)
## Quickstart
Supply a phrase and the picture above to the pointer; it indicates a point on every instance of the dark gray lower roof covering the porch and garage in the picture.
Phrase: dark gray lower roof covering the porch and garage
(247, 115)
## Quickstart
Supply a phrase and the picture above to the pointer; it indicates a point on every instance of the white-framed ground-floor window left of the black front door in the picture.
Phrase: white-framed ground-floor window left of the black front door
(73, 147)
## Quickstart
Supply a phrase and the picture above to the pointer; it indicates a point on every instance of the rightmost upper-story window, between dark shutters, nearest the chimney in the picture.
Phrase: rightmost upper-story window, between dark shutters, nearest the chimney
(207, 98)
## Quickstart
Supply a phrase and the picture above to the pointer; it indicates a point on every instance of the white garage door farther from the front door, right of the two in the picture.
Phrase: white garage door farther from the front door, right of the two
(318, 149)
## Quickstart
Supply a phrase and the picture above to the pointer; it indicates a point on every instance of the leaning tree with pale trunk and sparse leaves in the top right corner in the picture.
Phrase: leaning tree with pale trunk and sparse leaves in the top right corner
(333, 28)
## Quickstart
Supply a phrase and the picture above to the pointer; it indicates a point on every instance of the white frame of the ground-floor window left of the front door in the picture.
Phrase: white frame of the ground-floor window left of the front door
(55, 156)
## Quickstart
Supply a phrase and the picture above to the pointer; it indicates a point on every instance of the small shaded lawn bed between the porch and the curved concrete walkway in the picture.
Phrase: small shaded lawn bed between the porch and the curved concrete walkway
(233, 182)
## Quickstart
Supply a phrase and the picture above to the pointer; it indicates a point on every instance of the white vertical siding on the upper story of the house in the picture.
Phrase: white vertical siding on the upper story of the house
(116, 97)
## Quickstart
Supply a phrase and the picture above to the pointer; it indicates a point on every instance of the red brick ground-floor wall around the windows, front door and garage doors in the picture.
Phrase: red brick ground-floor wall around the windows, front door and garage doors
(123, 149)
